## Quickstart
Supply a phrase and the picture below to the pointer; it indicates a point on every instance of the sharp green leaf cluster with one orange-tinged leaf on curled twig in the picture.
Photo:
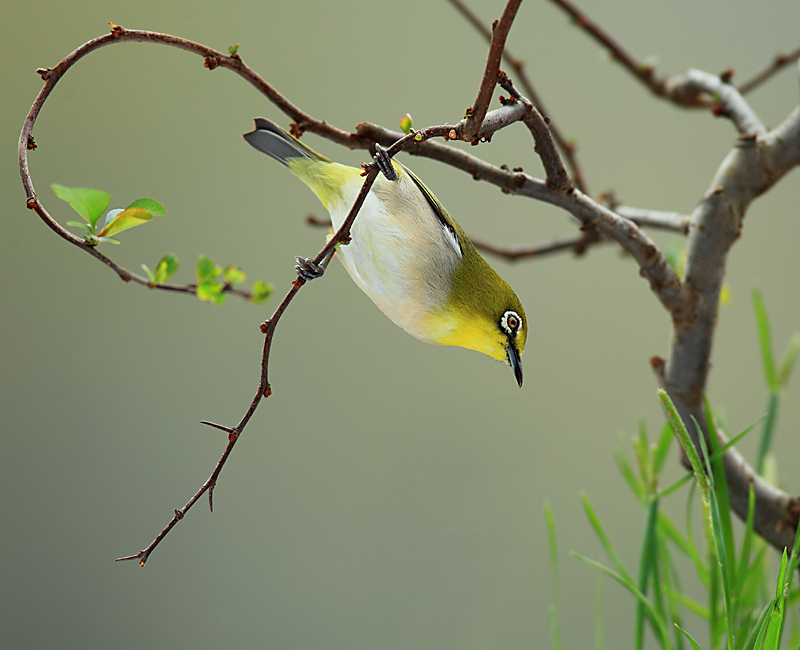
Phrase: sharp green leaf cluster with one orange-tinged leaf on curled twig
(91, 204)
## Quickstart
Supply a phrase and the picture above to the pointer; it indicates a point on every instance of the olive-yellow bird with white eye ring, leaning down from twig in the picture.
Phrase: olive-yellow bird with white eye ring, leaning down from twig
(407, 253)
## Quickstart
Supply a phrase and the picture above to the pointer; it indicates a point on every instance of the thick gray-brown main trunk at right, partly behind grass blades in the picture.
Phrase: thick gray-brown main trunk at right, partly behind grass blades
(751, 168)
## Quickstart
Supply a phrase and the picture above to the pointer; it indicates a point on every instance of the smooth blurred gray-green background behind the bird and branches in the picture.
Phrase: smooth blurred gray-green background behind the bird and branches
(389, 494)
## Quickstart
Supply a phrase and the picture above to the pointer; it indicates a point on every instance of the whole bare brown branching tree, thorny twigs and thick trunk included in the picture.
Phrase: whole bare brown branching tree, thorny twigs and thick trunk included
(758, 161)
